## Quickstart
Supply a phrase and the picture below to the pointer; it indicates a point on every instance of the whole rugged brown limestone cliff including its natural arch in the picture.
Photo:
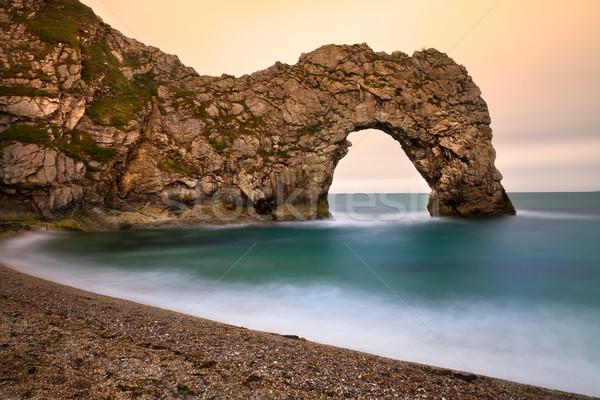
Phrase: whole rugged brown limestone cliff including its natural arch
(103, 127)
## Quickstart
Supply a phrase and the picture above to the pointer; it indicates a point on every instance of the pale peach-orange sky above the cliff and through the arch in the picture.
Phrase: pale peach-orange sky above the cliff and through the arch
(537, 64)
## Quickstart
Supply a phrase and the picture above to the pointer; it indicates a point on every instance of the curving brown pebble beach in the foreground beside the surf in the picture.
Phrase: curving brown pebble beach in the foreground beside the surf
(60, 342)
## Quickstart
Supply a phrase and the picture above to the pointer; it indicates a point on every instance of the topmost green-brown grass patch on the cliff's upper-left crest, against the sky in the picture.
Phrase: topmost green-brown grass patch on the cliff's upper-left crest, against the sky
(61, 21)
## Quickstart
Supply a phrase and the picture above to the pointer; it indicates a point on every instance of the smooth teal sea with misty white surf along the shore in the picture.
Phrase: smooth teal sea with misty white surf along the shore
(514, 297)
